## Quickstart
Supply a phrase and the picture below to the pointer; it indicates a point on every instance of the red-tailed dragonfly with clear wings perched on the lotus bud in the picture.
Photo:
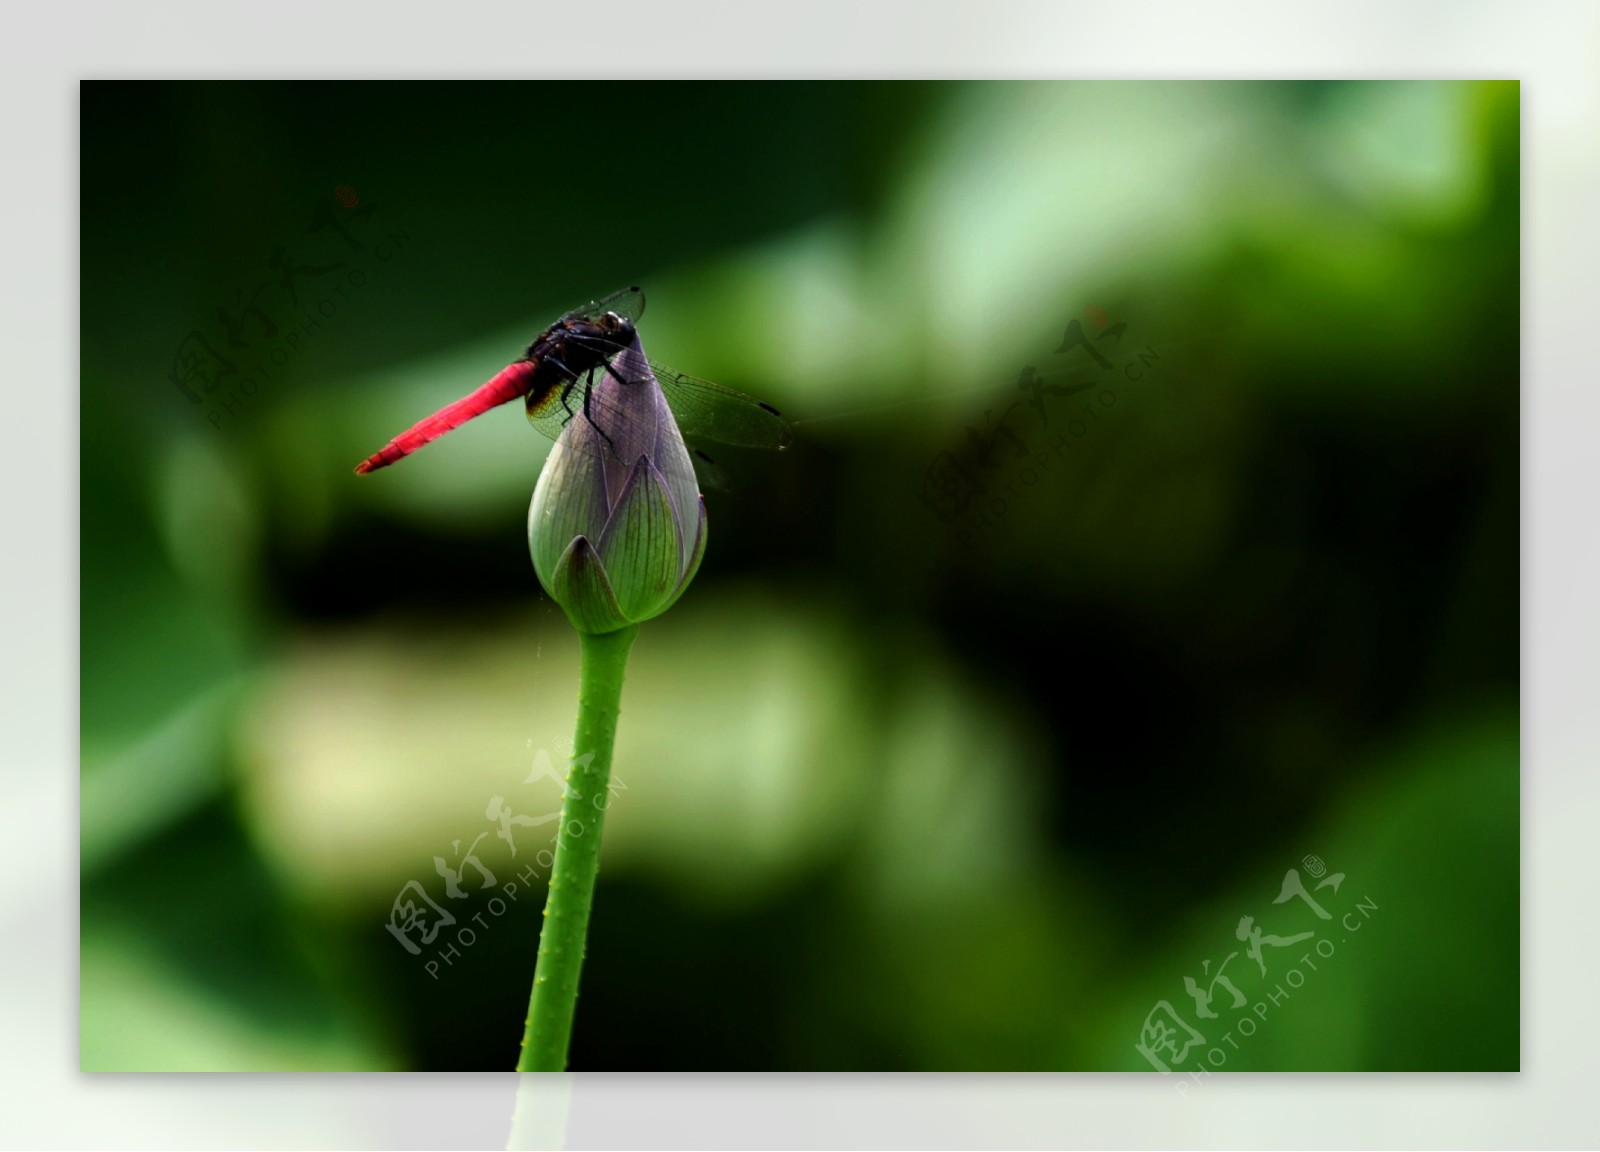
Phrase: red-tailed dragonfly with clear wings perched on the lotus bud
(556, 380)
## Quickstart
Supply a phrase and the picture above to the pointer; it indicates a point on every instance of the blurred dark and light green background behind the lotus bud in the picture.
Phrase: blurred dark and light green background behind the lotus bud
(994, 708)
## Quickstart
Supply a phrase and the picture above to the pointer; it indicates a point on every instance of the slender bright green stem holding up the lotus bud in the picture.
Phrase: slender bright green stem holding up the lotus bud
(577, 854)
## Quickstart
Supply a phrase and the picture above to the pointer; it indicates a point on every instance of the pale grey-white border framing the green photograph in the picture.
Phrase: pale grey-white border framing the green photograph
(1553, 49)
